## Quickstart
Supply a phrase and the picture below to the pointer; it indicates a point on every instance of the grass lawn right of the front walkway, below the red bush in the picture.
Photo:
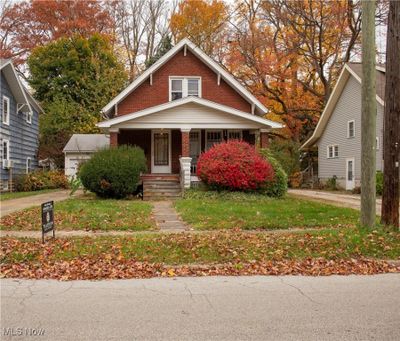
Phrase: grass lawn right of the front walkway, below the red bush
(212, 211)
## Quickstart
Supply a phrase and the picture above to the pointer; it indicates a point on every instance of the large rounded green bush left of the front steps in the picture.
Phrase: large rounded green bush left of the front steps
(113, 173)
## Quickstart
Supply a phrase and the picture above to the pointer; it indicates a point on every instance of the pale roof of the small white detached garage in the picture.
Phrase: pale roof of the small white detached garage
(87, 143)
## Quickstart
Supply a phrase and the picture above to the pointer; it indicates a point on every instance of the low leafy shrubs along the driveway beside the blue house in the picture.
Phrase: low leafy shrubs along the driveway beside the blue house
(39, 180)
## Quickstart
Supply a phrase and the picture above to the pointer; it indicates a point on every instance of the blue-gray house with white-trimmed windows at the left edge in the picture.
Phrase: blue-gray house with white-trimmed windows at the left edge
(19, 127)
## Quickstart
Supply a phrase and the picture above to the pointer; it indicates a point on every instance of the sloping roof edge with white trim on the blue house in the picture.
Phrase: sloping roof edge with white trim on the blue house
(21, 94)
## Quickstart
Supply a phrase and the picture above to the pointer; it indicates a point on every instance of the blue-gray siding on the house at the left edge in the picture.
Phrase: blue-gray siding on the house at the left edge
(22, 136)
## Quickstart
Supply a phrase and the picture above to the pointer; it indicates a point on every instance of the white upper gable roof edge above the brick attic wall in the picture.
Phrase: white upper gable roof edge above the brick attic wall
(260, 109)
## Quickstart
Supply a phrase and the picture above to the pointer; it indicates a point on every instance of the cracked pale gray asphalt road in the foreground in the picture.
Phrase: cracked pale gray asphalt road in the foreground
(209, 308)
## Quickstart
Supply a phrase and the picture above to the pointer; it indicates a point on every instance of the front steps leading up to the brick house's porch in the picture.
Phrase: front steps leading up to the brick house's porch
(161, 187)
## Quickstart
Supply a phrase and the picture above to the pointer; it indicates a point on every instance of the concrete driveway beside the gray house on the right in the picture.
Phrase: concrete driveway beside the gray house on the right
(335, 198)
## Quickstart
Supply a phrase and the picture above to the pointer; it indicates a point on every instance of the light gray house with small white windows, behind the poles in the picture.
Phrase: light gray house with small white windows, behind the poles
(338, 133)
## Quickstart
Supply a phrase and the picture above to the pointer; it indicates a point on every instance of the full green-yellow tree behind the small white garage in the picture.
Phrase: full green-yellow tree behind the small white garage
(74, 78)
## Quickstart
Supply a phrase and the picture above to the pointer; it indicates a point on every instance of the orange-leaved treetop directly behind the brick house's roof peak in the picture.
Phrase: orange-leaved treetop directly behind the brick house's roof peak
(202, 21)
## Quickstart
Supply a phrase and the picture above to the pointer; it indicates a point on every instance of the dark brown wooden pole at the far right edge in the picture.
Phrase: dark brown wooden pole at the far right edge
(391, 141)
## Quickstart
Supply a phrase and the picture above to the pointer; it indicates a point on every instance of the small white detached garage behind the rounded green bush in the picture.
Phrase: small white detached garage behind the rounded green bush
(80, 148)
